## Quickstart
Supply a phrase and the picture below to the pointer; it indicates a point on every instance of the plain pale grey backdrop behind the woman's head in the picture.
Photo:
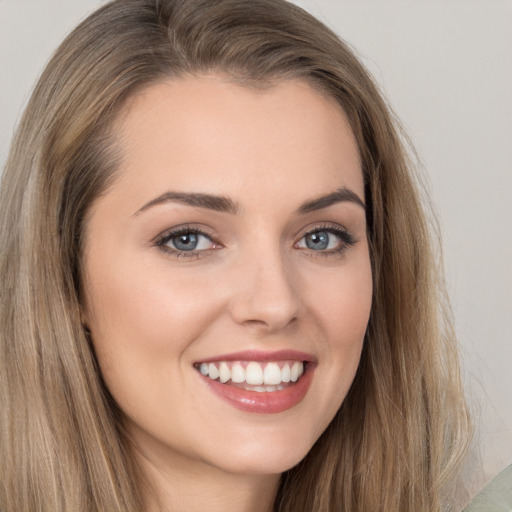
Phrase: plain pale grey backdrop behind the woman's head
(446, 68)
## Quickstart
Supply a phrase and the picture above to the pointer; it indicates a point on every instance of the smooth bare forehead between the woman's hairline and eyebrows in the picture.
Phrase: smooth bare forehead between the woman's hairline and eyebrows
(206, 134)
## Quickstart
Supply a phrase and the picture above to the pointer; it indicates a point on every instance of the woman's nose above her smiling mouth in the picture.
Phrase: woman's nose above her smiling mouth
(266, 293)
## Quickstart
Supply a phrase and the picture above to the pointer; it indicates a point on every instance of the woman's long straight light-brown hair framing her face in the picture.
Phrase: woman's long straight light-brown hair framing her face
(399, 436)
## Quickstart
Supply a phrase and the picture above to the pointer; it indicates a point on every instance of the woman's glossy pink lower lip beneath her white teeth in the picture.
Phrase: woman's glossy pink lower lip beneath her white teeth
(263, 402)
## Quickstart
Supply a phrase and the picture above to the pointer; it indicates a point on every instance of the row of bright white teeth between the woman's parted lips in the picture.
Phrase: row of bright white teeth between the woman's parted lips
(263, 377)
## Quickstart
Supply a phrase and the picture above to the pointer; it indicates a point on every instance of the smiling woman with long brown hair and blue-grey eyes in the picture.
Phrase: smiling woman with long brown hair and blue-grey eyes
(219, 284)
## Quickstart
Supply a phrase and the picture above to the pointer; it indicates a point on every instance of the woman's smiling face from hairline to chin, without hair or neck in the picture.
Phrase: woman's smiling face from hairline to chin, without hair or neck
(227, 272)
